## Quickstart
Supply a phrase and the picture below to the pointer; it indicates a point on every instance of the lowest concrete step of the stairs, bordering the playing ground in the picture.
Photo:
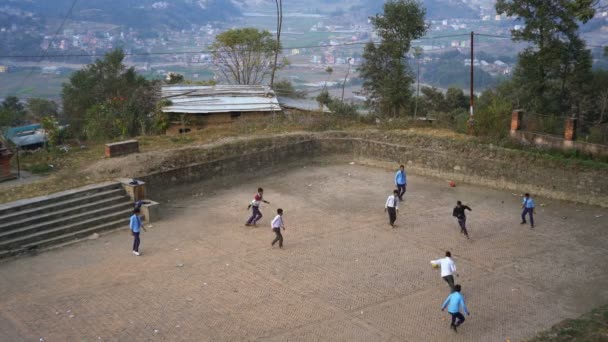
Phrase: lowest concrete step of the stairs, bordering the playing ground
(65, 239)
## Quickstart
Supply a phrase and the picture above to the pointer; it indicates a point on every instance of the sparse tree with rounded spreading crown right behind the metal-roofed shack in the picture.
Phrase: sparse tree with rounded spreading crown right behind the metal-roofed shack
(244, 55)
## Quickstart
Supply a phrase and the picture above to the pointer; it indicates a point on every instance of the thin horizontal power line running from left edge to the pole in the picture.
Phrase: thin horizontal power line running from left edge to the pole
(211, 51)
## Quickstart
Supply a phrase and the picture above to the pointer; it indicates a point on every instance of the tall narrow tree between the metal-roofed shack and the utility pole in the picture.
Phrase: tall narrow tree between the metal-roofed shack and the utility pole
(388, 78)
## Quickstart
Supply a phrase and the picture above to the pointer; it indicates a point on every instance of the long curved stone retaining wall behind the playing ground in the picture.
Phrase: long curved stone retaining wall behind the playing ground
(460, 160)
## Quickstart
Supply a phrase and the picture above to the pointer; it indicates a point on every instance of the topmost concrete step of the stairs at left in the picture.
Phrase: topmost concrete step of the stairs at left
(46, 201)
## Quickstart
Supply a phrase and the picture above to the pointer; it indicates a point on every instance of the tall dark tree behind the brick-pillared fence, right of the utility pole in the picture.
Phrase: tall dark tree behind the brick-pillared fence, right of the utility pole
(550, 72)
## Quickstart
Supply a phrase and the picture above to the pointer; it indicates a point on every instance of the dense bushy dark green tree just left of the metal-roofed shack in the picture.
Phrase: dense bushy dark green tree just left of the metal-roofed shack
(123, 99)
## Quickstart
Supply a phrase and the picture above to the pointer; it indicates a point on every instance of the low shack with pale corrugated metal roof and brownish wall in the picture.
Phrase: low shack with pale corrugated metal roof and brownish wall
(193, 107)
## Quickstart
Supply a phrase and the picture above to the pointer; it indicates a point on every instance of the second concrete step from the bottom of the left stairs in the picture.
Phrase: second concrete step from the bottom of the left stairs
(37, 238)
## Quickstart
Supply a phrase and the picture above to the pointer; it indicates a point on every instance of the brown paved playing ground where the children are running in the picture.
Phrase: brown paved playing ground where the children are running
(344, 274)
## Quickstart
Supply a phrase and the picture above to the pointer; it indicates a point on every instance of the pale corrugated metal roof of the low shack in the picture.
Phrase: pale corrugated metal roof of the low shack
(194, 99)
